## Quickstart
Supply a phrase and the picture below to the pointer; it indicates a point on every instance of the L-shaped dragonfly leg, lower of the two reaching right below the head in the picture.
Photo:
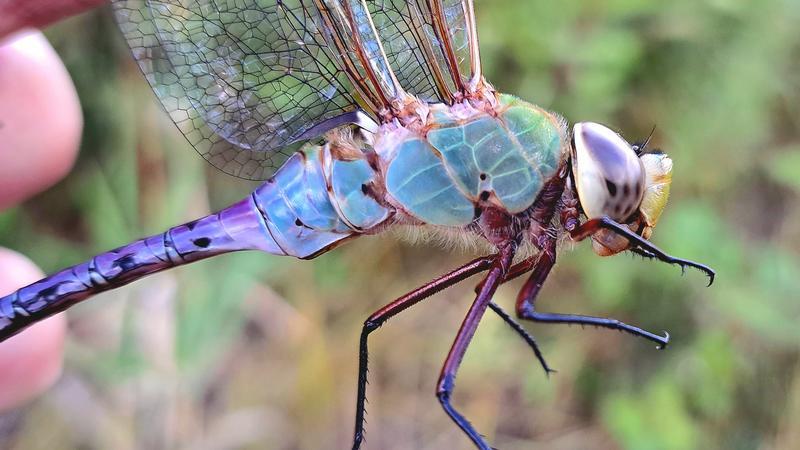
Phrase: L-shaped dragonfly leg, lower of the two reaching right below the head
(527, 298)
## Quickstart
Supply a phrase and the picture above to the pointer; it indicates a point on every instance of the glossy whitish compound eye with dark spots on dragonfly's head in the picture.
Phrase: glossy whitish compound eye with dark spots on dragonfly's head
(609, 176)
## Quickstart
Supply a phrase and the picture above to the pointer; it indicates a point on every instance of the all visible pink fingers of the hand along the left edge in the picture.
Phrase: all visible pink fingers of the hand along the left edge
(40, 129)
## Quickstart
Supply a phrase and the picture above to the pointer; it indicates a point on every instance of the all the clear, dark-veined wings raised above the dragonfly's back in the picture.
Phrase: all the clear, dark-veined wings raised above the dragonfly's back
(248, 80)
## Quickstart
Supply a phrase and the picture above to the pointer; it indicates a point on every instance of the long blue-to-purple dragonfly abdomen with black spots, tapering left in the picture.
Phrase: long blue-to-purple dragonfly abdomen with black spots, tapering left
(304, 210)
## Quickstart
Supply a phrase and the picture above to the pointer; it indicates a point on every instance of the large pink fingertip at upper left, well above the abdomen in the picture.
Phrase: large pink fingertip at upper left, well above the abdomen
(40, 117)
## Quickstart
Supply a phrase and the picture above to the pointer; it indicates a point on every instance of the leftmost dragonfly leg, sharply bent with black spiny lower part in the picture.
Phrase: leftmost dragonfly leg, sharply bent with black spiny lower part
(382, 315)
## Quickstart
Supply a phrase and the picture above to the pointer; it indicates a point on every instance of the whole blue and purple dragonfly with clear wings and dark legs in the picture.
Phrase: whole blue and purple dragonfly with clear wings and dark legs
(364, 115)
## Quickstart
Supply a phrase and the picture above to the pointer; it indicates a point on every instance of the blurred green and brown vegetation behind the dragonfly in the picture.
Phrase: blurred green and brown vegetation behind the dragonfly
(253, 351)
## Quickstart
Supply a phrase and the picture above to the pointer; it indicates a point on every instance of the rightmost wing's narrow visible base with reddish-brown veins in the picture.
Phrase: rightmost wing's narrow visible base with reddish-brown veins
(432, 45)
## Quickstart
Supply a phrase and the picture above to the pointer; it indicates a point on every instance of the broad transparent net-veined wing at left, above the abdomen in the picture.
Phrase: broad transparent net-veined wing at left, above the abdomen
(243, 80)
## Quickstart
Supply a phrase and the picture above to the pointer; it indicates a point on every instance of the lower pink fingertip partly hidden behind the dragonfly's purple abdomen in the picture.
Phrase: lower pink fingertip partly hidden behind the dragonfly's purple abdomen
(31, 361)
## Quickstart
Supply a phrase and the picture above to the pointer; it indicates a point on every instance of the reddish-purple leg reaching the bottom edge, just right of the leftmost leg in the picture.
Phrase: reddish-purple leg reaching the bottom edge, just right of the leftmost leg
(446, 384)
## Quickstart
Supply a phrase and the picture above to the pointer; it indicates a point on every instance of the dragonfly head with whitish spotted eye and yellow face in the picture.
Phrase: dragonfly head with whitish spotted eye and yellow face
(622, 181)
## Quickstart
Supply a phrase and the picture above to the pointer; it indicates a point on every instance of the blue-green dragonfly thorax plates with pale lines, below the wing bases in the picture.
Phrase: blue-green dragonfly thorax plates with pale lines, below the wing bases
(463, 158)
